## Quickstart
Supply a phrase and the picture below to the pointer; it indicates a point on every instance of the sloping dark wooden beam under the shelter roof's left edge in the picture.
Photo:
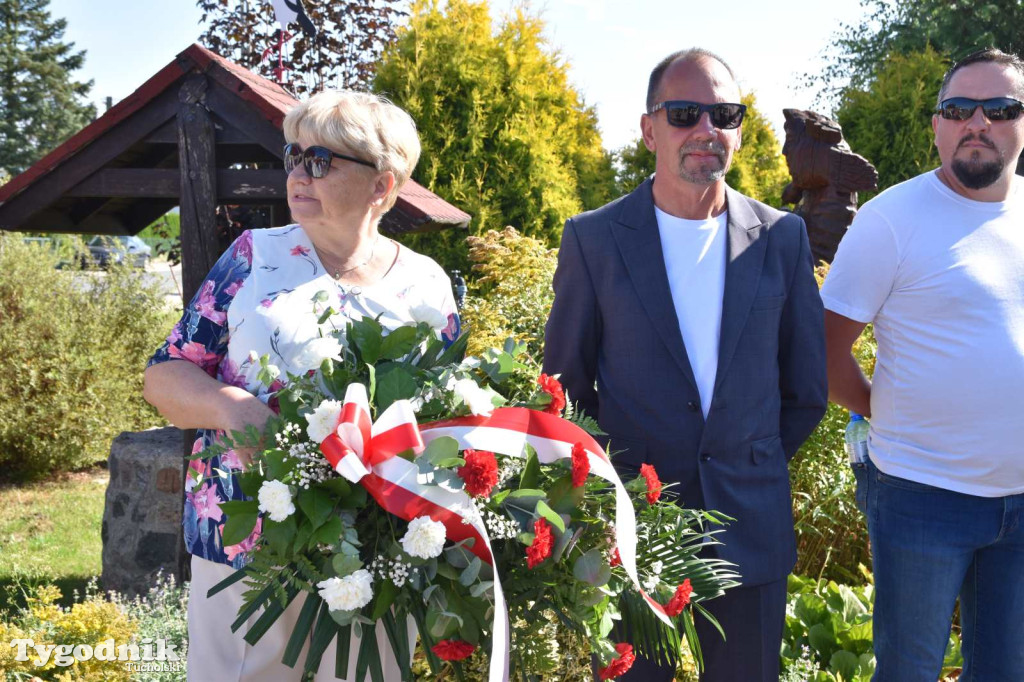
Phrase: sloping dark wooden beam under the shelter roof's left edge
(48, 190)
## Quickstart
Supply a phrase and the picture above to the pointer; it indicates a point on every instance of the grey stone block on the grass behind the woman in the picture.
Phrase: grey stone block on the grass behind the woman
(143, 513)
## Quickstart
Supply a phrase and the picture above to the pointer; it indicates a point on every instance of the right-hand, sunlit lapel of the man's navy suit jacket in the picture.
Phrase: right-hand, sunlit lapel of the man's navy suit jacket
(745, 260)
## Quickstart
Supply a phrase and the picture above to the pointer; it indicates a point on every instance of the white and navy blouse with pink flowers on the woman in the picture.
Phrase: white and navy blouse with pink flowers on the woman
(259, 300)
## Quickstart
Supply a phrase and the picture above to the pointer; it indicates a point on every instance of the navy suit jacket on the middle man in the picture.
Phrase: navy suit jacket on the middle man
(615, 339)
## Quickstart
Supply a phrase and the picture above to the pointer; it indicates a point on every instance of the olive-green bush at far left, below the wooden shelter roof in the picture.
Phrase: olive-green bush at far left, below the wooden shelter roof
(74, 346)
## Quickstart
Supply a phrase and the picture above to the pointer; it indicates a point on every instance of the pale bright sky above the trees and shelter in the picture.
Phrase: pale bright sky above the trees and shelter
(611, 46)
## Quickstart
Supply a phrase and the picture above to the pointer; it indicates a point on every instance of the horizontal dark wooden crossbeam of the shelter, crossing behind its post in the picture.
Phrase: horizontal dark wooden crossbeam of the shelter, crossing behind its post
(233, 186)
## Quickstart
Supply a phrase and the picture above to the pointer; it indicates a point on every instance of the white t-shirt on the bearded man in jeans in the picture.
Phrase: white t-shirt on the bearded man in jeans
(943, 279)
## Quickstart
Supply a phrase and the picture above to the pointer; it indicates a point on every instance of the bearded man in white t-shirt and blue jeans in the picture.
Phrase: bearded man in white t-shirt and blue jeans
(937, 265)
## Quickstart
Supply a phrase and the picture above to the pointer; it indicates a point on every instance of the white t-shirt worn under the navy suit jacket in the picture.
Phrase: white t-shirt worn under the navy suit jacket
(695, 260)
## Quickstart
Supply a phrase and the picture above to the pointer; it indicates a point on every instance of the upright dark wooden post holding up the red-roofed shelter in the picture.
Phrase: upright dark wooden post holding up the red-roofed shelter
(197, 162)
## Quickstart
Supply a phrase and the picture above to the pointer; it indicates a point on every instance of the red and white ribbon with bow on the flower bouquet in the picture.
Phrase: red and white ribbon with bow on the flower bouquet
(364, 452)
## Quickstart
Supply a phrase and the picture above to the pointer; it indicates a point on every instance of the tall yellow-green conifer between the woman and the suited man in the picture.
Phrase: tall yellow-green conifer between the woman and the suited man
(506, 137)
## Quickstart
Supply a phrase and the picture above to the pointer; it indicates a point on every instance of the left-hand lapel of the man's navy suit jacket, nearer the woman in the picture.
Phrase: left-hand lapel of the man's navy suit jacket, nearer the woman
(641, 245)
